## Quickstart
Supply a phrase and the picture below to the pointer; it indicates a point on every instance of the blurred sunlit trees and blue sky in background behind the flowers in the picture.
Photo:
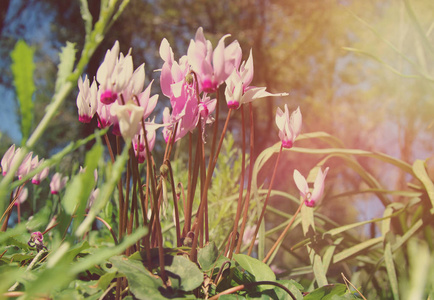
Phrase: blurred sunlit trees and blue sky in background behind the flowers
(359, 70)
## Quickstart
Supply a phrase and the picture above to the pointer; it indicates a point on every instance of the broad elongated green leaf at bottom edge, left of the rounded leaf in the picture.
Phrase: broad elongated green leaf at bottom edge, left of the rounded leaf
(141, 283)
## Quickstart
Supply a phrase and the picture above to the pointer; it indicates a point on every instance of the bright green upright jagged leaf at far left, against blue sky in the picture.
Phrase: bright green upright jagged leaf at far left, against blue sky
(23, 69)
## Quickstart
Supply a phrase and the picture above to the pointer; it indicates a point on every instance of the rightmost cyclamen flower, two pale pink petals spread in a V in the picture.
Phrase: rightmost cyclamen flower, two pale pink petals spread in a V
(310, 198)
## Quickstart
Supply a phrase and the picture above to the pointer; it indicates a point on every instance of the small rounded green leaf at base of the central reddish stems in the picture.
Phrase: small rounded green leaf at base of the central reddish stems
(187, 275)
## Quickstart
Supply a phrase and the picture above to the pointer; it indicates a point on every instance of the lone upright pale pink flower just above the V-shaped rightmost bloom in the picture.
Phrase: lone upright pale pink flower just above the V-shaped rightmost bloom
(289, 126)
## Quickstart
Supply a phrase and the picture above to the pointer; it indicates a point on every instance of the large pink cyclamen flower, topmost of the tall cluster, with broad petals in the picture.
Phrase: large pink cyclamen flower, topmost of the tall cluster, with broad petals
(212, 67)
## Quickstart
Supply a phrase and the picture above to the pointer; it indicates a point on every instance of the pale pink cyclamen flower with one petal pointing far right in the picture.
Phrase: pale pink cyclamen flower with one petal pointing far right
(238, 90)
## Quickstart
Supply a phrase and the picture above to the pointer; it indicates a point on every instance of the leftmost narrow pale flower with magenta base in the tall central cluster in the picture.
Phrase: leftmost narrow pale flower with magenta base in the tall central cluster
(87, 102)
